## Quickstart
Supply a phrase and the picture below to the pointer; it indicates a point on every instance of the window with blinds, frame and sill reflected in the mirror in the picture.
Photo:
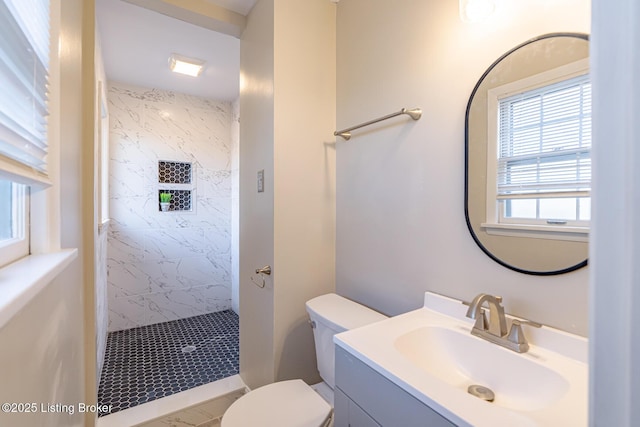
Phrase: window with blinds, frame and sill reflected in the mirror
(539, 166)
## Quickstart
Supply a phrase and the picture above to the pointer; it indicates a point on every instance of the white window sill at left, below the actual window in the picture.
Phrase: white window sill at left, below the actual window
(22, 280)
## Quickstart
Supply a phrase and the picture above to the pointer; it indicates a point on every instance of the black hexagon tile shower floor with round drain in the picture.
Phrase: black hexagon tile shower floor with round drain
(150, 362)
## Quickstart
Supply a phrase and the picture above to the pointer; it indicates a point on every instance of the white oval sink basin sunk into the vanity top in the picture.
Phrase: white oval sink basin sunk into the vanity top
(460, 359)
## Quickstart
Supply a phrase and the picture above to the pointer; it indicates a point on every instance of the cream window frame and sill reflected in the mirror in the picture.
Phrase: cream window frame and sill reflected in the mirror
(495, 222)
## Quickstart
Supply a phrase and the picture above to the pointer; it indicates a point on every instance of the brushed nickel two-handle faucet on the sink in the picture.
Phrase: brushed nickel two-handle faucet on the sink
(496, 329)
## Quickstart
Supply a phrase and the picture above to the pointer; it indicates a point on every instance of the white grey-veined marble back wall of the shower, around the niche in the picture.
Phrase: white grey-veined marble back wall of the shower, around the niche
(167, 265)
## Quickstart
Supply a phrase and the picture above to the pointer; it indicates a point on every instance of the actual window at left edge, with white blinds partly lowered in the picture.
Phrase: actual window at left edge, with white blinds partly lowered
(24, 64)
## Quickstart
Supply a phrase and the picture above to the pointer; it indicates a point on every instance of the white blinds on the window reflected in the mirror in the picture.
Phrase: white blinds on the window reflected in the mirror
(545, 141)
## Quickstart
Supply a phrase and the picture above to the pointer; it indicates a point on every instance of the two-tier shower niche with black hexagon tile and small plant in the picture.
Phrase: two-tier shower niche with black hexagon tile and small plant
(175, 186)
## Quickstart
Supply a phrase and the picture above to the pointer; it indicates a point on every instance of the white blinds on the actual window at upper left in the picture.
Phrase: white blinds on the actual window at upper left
(24, 64)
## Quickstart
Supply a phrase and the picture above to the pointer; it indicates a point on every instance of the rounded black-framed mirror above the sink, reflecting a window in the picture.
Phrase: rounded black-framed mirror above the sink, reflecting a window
(527, 156)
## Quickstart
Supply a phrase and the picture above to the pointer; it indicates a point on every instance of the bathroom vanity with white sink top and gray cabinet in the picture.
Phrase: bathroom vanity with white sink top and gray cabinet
(416, 369)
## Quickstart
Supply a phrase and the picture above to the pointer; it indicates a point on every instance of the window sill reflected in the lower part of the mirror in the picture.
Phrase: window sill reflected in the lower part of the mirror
(573, 234)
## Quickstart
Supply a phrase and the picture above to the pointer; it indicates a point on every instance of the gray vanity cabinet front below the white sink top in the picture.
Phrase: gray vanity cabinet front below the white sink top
(364, 398)
